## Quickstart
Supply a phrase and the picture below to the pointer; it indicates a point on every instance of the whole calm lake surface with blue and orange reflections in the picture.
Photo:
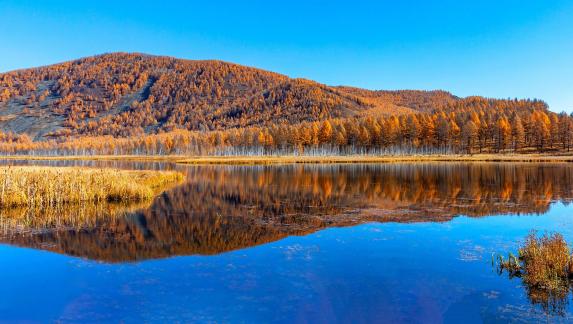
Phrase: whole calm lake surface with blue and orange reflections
(292, 243)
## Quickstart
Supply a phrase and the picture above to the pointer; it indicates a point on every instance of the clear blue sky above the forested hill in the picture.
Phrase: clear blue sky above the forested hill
(492, 48)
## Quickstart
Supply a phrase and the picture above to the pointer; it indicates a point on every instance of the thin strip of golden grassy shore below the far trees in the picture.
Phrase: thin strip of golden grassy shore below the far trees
(181, 159)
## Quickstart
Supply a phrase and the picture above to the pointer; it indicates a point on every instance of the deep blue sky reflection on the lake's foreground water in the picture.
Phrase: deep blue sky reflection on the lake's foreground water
(390, 272)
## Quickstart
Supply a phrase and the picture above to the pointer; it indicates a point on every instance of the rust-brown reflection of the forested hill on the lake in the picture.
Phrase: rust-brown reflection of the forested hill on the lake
(224, 208)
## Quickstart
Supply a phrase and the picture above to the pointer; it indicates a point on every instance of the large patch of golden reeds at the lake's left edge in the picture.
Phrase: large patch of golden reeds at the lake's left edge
(40, 187)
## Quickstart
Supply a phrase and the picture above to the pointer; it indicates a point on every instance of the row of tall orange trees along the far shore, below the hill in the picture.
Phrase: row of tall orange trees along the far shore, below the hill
(462, 132)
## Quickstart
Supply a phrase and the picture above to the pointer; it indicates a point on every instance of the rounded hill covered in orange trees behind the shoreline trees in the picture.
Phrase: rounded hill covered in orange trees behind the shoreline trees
(124, 95)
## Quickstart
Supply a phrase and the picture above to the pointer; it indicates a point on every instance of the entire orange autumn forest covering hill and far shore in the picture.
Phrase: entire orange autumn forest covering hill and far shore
(140, 104)
